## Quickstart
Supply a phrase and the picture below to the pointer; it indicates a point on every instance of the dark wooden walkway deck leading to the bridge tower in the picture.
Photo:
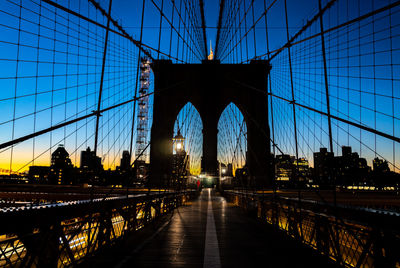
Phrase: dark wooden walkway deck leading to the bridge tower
(213, 233)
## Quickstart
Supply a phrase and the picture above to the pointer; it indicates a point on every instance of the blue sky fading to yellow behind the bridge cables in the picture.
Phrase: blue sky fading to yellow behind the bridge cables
(60, 58)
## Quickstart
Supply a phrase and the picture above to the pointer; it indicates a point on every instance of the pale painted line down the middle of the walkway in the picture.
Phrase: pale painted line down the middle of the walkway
(211, 251)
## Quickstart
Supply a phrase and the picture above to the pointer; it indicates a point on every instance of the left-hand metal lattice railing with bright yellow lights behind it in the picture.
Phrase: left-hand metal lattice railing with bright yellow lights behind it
(64, 234)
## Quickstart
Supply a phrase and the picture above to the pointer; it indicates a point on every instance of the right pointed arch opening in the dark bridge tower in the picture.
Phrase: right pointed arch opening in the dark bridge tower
(232, 142)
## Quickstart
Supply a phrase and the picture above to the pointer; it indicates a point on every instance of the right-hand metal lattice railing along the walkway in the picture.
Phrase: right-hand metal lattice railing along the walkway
(360, 237)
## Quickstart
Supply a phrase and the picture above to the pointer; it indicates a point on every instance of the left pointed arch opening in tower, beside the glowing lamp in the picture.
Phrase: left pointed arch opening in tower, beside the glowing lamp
(189, 125)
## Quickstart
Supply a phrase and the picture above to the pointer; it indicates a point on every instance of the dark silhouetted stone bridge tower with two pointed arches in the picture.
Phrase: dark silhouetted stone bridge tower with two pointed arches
(210, 87)
